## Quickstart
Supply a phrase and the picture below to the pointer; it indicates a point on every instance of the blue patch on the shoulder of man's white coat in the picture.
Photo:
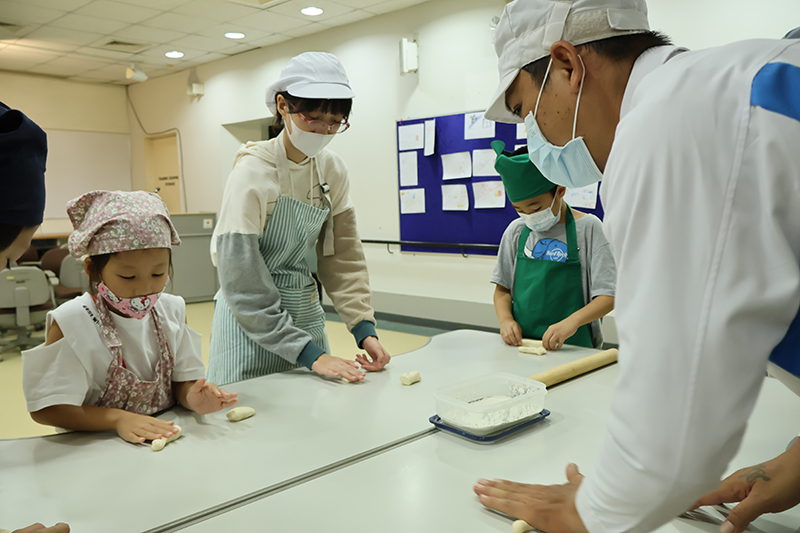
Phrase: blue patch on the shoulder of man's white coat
(776, 88)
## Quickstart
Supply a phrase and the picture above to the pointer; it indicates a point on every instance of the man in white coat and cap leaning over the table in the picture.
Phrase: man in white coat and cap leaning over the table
(701, 185)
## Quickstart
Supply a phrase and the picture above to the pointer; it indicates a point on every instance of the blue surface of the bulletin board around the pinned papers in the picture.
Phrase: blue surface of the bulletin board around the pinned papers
(471, 226)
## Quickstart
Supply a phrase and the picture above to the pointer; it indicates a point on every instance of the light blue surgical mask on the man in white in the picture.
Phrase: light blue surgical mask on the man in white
(570, 165)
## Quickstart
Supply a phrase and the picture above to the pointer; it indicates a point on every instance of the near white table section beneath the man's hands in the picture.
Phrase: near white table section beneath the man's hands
(426, 485)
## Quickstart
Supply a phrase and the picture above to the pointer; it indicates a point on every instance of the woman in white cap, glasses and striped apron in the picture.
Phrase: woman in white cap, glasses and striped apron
(283, 197)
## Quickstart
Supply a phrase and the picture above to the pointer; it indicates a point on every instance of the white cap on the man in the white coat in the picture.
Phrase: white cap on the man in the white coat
(528, 28)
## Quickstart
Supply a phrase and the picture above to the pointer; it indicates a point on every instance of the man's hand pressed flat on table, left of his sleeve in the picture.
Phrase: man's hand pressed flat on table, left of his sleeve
(549, 508)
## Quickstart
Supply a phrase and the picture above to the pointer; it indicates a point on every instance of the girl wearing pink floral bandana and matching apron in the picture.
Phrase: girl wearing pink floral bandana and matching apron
(124, 352)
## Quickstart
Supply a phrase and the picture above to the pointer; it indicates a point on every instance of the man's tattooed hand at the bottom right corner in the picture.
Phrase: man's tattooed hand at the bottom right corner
(771, 487)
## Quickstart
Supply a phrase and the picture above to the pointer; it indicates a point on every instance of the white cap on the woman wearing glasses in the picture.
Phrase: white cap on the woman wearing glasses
(311, 75)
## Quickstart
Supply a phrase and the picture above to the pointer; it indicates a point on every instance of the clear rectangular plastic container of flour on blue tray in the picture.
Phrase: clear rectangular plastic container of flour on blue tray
(489, 404)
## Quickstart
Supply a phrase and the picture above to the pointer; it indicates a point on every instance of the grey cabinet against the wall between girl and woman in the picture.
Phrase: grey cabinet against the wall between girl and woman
(195, 276)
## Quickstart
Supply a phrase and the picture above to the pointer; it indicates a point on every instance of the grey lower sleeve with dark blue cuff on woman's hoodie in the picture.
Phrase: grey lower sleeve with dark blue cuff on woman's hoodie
(255, 301)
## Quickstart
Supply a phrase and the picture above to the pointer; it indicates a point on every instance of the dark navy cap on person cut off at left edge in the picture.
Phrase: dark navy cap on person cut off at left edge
(23, 153)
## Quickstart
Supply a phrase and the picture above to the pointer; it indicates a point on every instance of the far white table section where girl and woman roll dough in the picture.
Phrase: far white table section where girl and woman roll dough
(304, 425)
